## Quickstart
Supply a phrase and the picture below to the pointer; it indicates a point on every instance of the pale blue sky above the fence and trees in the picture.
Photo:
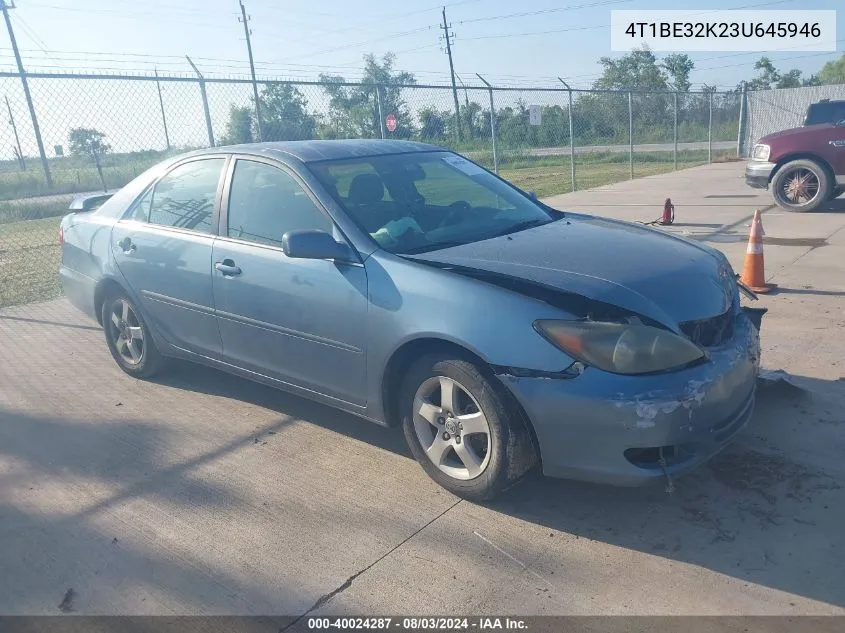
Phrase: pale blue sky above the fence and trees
(516, 44)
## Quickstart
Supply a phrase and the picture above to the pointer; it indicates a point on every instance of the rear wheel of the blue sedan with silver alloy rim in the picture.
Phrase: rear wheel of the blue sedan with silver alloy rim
(128, 337)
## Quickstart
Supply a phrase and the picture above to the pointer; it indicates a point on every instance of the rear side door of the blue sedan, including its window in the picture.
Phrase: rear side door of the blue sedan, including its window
(163, 248)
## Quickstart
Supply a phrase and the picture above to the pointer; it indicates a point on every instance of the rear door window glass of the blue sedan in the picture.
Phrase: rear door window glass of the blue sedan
(184, 198)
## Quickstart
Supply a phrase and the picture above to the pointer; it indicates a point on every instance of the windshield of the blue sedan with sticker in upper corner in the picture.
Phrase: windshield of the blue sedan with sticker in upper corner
(412, 203)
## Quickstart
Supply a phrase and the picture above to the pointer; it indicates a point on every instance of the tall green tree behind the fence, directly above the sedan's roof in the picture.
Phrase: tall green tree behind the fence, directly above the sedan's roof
(353, 110)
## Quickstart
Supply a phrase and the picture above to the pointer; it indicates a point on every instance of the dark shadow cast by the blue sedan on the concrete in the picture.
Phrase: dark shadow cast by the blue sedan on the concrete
(769, 509)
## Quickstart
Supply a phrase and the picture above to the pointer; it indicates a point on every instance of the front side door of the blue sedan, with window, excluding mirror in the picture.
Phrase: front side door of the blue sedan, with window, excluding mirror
(299, 321)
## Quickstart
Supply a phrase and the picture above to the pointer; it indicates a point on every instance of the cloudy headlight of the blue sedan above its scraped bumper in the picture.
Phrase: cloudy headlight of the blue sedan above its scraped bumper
(618, 347)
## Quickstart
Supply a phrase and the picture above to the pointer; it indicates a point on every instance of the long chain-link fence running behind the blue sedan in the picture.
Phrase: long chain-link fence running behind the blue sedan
(84, 133)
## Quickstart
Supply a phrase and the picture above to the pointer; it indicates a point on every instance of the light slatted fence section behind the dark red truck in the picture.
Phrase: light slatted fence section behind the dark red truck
(774, 110)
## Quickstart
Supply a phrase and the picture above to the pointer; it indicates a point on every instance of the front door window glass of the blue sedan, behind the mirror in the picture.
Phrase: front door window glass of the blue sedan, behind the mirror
(266, 202)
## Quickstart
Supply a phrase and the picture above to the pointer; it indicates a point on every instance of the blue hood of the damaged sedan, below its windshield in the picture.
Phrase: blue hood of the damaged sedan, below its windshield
(642, 270)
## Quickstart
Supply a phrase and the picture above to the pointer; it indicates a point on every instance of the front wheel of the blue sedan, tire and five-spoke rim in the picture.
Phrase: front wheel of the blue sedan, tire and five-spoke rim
(466, 435)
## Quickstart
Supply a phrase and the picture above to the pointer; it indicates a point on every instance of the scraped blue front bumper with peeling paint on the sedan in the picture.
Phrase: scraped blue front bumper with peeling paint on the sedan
(630, 430)
